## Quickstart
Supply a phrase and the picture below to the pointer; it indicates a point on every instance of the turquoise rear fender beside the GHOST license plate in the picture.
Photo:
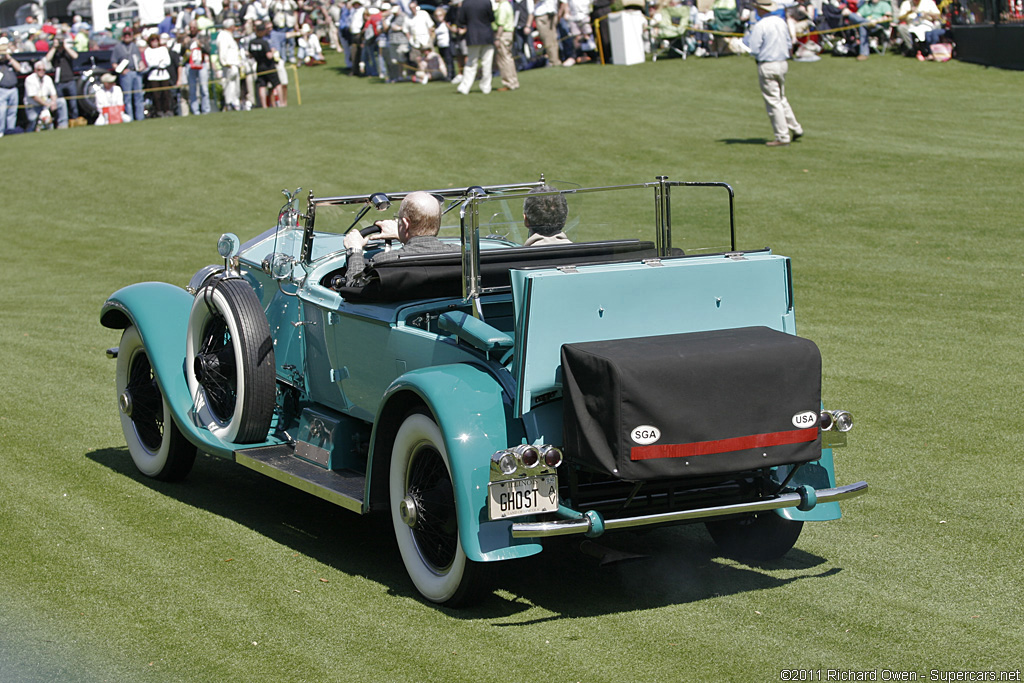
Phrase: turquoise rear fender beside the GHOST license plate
(477, 420)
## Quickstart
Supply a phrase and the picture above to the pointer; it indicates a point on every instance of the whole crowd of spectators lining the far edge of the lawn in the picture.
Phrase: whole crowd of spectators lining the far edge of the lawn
(245, 50)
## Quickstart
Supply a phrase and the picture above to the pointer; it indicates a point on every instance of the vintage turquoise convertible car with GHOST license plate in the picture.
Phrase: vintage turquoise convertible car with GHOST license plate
(643, 372)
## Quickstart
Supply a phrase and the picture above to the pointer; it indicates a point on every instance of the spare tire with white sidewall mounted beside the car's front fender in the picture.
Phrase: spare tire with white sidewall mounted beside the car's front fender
(230, 364)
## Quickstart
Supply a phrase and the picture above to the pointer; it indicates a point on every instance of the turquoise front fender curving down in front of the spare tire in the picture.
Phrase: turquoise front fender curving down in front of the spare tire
(160, 312)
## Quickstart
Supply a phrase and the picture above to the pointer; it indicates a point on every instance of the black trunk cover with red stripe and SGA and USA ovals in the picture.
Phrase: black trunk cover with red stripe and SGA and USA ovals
(693, 405)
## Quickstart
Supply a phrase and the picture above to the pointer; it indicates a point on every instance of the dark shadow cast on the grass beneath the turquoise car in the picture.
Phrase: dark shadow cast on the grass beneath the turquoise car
(573, 578)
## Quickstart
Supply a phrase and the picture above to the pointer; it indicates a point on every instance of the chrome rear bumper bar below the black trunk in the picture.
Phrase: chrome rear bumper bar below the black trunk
(593, 524)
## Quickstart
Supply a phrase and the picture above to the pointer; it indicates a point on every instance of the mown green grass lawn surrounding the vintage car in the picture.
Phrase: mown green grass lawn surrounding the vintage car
(902, 211)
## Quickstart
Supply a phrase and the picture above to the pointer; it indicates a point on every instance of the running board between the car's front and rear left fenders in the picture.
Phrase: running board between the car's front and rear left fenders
(344, 488)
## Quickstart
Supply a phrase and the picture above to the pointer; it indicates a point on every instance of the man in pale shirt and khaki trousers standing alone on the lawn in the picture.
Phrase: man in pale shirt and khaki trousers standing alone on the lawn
(771, 45)
